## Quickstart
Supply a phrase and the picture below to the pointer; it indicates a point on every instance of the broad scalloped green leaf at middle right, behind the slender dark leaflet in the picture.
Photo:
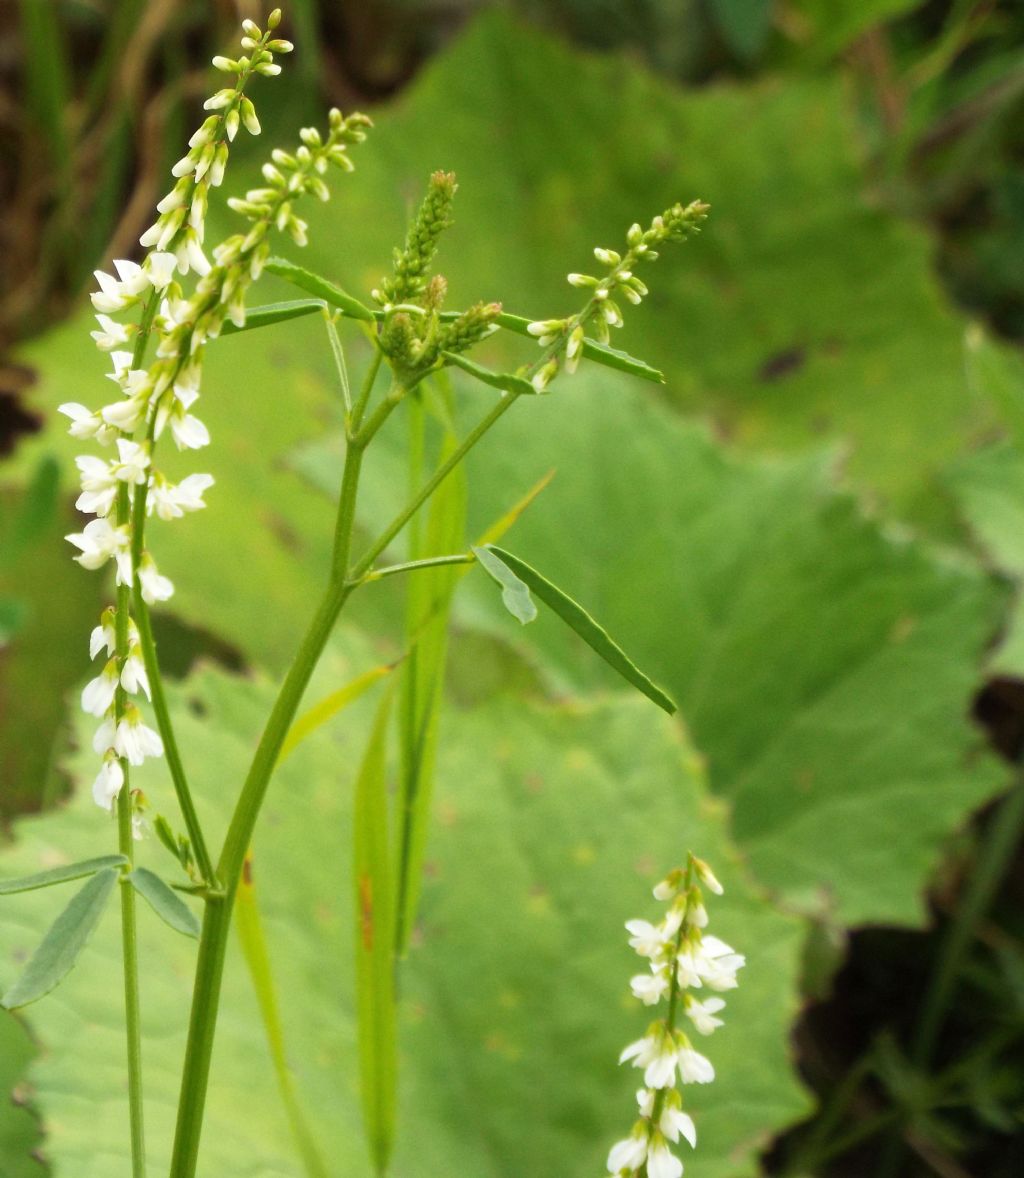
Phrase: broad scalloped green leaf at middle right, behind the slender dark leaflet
(825, 667)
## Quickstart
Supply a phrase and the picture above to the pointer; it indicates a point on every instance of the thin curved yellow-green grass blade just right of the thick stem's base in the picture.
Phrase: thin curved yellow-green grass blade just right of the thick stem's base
(249, 926)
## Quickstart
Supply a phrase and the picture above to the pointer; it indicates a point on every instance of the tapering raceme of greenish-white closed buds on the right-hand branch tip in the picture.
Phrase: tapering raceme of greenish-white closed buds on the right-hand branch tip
(566, 337)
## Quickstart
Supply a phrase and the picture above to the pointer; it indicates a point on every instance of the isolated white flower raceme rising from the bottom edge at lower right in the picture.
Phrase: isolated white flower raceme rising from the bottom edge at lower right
(682, 958)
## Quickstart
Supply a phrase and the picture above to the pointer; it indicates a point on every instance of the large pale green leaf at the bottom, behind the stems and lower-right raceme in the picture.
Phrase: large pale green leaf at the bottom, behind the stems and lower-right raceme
(553, 823)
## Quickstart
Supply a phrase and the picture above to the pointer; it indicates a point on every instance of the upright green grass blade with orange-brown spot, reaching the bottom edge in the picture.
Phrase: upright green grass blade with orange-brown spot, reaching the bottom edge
(375, 934)
